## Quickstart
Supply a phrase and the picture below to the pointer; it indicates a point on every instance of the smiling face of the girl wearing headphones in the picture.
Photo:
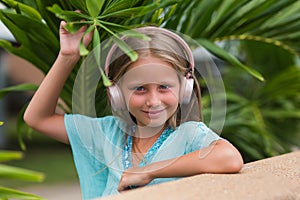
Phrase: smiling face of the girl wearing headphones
(151, 90)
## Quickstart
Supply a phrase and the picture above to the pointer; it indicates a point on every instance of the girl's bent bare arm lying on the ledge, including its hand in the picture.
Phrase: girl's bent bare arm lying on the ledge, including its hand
(219, 157)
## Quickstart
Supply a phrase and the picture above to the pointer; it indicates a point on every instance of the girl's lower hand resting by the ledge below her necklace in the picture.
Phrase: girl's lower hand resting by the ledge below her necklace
(134, 177)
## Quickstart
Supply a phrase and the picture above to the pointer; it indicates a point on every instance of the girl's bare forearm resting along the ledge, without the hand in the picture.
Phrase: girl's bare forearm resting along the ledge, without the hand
(220, 157)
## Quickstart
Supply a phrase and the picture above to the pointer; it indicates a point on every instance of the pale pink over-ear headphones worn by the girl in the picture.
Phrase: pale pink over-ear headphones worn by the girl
(116, 97)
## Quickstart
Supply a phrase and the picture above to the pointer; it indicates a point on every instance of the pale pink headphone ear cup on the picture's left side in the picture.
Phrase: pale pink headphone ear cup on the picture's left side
(116, 98)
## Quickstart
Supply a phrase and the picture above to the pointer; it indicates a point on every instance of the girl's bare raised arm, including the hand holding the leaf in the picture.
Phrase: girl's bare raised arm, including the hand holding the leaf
(40, 113)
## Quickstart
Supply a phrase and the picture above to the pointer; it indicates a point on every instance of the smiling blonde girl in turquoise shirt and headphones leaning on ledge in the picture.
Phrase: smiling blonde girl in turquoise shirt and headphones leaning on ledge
(152, 137)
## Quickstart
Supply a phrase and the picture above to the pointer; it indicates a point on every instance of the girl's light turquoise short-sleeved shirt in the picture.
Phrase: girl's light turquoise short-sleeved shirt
(97, 145)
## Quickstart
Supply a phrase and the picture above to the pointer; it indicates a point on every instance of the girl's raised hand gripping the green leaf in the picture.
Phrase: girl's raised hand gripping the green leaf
(69, 42)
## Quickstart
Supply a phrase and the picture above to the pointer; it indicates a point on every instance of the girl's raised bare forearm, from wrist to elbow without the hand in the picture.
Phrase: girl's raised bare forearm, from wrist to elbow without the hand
(44, 101)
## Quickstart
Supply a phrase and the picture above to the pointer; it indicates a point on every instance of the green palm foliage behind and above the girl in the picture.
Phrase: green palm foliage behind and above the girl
(211, 23)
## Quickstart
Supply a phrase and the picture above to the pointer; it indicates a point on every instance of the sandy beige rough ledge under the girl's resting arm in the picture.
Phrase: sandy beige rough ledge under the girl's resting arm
(273, 178)
